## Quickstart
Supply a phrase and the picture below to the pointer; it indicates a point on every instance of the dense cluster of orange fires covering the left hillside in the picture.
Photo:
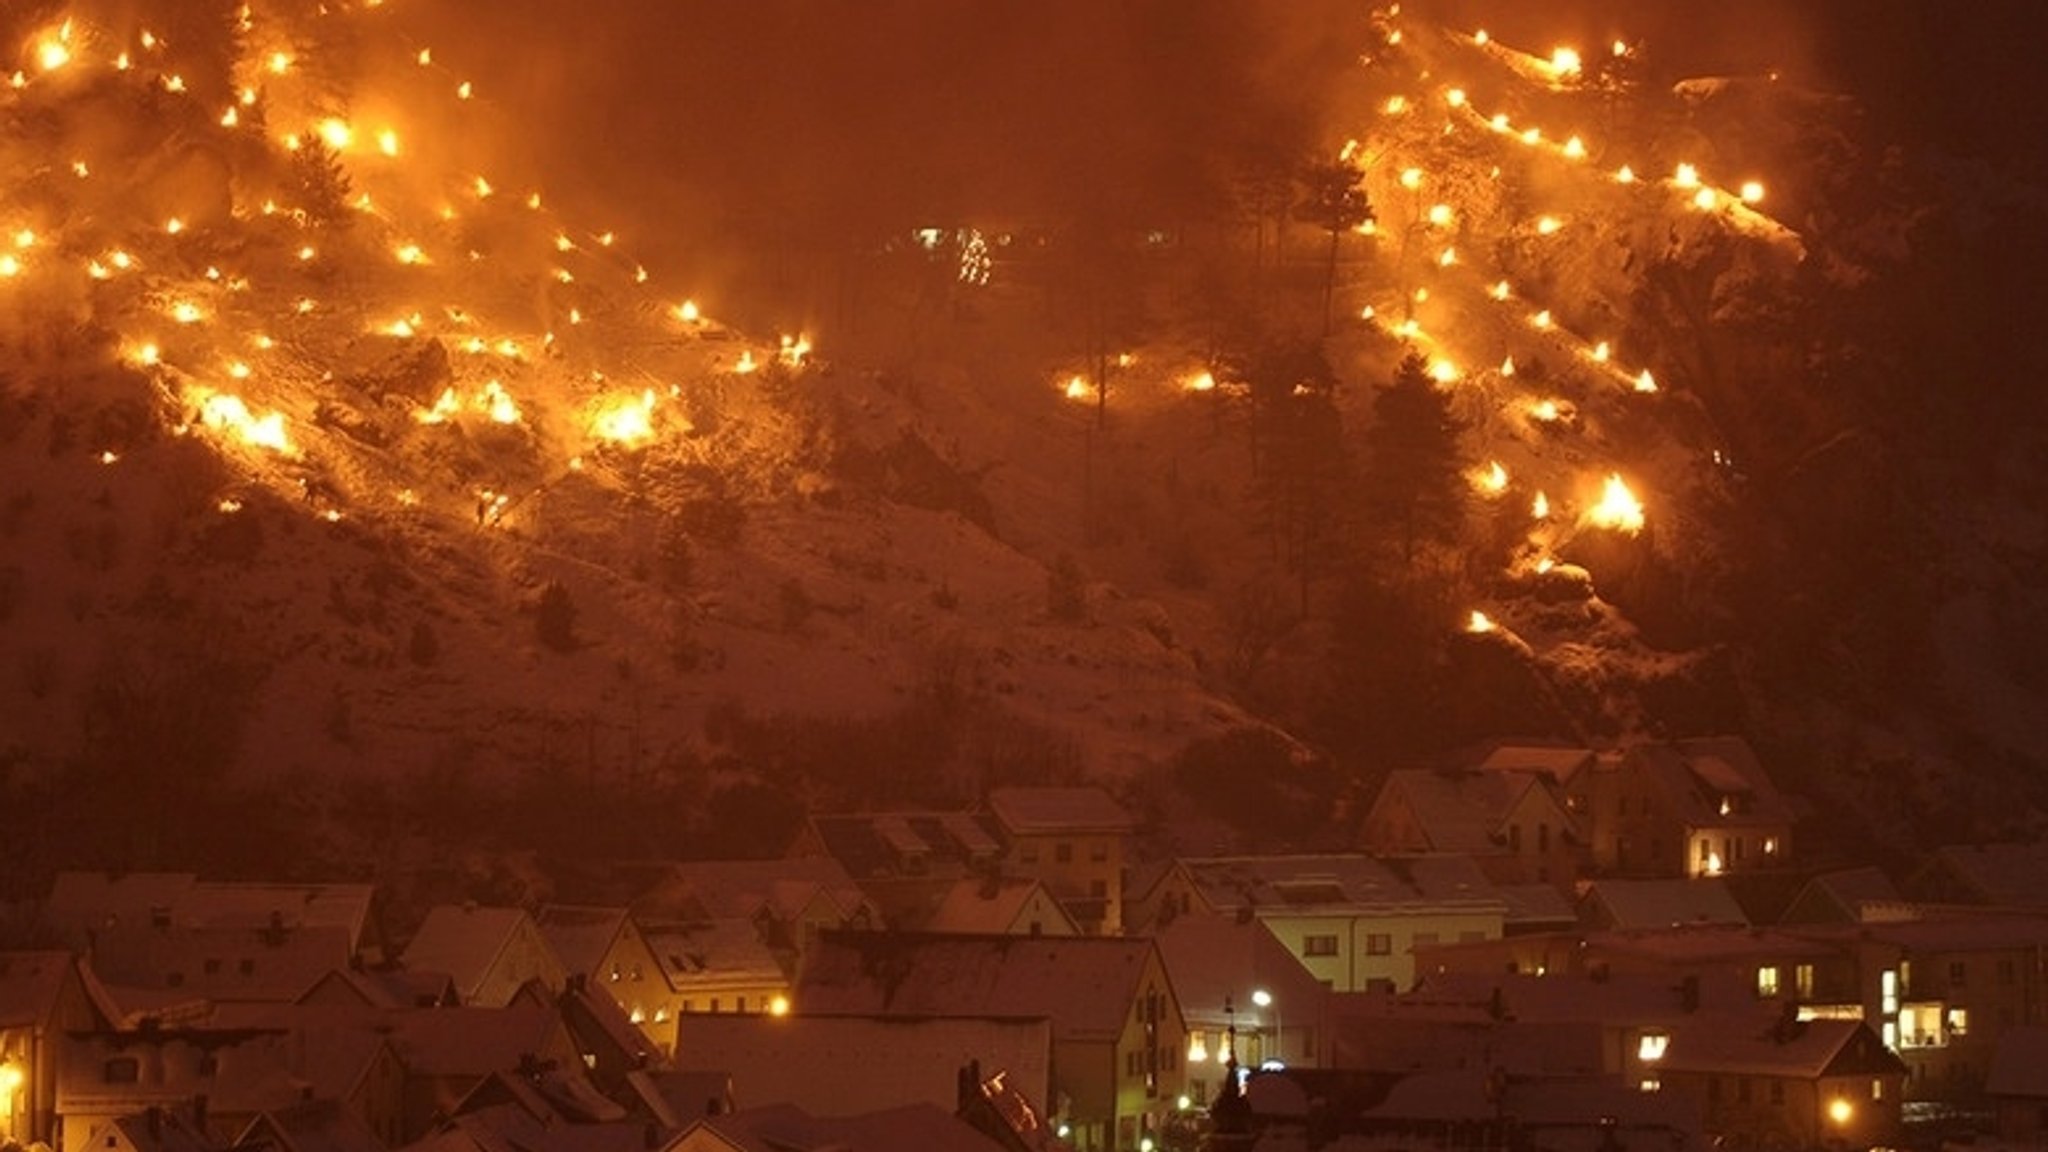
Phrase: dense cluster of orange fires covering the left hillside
(218, 276)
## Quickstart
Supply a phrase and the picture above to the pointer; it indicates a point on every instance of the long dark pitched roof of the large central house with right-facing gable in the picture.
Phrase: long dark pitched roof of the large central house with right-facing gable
(1084, 985)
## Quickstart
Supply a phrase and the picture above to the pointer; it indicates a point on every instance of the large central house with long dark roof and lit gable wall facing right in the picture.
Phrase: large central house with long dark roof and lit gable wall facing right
(1119, 1036)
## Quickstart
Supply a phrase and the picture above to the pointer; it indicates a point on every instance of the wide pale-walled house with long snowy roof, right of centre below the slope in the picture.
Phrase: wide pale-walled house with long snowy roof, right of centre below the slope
(1353, 921)
